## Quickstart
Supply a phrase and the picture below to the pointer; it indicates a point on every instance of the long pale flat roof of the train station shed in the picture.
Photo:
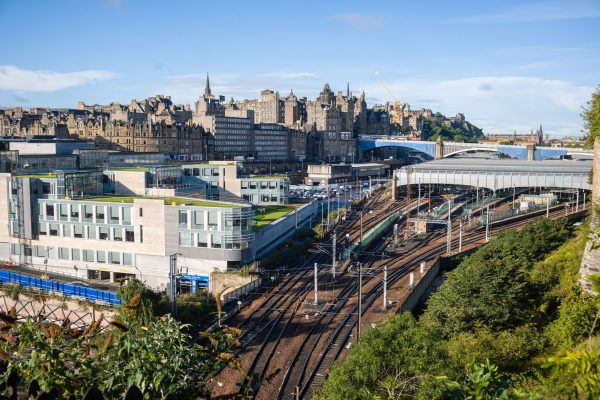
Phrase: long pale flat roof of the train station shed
(505, 165)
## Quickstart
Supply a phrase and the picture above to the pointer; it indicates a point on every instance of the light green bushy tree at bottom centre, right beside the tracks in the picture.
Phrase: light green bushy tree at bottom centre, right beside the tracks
(392, 361)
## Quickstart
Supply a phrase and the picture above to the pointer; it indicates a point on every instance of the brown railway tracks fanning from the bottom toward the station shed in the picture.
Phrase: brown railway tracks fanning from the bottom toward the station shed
(275, 336)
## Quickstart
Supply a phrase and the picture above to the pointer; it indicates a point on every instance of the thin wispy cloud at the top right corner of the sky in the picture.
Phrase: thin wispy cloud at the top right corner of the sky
(533, 12)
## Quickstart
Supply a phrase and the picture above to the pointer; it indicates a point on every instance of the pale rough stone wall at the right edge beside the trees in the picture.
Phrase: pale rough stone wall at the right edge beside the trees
(590, 264)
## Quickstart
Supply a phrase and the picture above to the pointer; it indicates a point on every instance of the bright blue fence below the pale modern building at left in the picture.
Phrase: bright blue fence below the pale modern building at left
(67, 289)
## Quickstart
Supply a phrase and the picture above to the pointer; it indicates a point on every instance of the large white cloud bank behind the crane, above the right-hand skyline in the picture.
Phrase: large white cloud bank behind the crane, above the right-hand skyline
(498, 104)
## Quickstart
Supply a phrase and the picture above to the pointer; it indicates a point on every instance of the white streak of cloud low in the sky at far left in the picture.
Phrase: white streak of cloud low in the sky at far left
(22, 80)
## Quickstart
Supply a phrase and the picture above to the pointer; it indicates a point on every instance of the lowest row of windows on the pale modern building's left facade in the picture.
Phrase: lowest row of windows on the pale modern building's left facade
(69, 254)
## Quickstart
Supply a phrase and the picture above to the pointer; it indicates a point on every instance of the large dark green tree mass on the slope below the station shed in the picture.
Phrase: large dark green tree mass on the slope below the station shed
(492, 286)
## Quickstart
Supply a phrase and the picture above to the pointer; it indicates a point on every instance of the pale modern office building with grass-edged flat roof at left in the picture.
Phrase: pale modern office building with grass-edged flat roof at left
(63, 223)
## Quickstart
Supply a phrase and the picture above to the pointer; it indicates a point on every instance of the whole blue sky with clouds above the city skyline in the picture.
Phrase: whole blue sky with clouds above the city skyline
(507, 65)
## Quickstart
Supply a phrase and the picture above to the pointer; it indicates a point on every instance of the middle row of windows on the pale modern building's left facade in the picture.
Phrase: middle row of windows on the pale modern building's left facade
(87, 232)
